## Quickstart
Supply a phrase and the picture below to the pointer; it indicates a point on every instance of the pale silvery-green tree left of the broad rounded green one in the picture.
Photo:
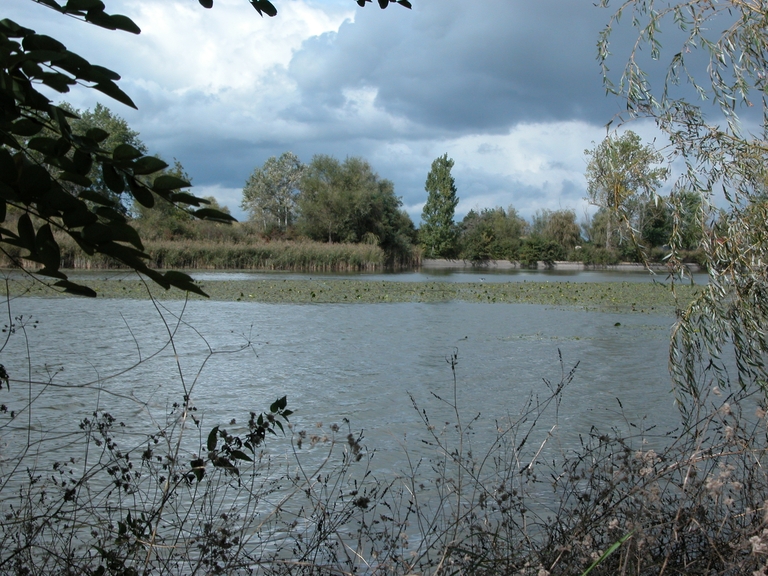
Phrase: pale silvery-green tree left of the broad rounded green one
(271, 192)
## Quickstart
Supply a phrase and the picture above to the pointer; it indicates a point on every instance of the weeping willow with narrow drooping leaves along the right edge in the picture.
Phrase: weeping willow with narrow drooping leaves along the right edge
(718, 50)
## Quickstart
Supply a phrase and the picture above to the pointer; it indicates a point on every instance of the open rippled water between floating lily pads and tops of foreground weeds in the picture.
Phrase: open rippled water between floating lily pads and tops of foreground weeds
(335, 361)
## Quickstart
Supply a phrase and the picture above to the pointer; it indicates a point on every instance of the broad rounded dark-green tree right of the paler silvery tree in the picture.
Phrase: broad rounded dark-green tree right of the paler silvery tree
(348, 202)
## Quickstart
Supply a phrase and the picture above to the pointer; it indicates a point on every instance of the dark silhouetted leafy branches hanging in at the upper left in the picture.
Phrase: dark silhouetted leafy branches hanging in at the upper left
(46, 167)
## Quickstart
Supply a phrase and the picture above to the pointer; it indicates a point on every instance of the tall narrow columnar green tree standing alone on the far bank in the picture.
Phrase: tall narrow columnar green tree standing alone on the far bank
(438, 232)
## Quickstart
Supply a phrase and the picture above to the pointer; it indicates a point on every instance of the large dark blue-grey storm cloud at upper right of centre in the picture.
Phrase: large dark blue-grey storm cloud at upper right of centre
(480, 69)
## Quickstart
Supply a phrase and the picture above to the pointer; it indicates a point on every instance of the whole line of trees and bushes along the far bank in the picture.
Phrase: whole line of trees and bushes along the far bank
(334, 201)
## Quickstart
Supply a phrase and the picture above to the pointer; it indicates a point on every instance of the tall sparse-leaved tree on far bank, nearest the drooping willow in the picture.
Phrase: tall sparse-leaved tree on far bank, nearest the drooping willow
(619, 173)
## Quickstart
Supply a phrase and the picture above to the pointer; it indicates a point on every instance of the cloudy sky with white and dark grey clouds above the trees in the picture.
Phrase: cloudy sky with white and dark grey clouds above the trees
(509, 89)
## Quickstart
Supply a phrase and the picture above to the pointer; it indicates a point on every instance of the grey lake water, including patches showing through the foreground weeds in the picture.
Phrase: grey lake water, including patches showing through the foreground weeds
(360, 366)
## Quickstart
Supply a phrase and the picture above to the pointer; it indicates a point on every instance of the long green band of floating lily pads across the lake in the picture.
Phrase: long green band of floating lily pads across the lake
(647, 297)
